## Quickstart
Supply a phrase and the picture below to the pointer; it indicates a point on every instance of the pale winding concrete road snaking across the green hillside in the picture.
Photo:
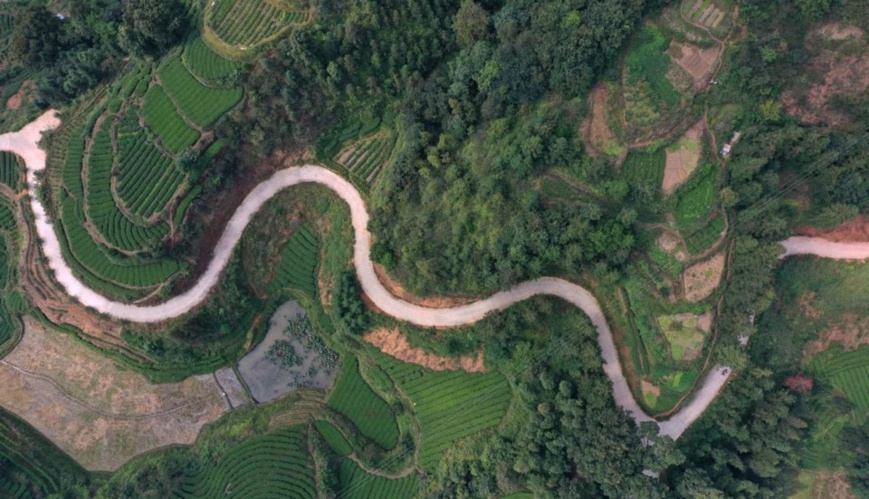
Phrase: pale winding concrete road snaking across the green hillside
(25, 144)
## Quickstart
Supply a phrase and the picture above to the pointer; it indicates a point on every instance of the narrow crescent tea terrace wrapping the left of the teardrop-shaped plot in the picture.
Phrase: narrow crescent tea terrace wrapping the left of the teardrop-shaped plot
(118, 230)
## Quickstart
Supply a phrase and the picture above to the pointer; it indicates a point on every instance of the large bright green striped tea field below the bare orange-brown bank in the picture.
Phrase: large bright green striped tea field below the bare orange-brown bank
(450, 405)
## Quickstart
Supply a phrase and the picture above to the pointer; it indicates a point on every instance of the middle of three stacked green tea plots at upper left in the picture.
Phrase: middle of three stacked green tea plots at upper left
(200, 104)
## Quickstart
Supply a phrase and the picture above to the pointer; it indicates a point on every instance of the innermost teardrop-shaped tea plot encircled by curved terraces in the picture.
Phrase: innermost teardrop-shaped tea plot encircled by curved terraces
(147, 179)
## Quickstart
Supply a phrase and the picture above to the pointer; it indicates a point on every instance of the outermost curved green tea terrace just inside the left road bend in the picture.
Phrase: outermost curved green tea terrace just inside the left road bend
(114, 273)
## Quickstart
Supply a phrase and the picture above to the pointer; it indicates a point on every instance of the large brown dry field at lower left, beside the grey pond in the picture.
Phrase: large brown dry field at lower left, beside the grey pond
(100, 415)
